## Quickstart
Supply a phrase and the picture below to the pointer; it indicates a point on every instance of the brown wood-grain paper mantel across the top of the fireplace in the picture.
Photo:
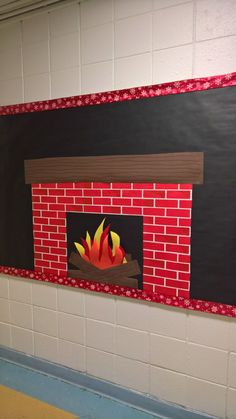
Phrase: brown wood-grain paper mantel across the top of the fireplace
(145, 168)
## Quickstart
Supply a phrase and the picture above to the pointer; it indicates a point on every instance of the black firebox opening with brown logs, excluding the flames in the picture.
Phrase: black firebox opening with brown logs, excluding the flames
(129, 229)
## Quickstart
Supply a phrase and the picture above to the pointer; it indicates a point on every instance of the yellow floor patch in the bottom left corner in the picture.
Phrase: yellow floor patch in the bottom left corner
(15, 405)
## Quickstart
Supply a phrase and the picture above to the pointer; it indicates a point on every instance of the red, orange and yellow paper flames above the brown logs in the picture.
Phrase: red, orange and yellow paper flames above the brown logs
(98, 251)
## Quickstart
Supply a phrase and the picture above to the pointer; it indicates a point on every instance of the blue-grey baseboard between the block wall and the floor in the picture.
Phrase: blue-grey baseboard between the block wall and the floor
(107, 389)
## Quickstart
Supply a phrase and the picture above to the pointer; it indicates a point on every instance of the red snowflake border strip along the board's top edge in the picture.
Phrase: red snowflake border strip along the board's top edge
(184, 86)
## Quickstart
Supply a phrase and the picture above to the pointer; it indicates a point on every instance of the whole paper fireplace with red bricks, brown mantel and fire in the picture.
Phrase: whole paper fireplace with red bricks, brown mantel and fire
(121, 220)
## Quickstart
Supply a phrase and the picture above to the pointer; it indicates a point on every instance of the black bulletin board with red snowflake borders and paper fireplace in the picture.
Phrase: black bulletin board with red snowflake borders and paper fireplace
(153, 167)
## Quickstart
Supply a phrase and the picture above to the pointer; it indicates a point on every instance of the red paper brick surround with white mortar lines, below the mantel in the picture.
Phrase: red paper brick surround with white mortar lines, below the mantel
(166, 211)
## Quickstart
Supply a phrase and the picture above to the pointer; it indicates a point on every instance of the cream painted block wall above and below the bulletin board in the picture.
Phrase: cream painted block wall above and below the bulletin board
(103, 45)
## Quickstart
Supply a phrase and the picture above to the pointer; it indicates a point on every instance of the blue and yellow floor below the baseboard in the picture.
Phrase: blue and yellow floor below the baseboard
(39, 394)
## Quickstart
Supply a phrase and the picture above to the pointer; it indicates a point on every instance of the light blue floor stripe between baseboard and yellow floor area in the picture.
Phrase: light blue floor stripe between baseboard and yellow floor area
(66, 396)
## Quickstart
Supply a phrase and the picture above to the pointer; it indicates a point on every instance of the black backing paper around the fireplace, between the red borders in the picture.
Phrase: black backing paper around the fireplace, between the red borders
(202, 121)
